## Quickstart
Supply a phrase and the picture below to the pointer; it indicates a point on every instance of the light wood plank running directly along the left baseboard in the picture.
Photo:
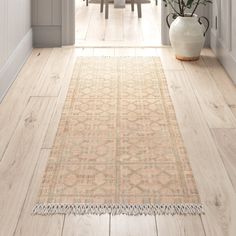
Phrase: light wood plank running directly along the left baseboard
(18, 96)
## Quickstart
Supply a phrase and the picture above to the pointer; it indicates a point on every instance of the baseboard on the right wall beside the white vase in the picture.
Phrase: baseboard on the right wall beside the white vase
(224, 56)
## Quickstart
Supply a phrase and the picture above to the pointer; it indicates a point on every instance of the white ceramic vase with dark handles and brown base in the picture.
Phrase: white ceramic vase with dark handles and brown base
(187, 37)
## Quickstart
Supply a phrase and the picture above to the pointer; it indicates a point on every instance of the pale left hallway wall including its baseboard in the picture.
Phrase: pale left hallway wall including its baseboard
(15, 39)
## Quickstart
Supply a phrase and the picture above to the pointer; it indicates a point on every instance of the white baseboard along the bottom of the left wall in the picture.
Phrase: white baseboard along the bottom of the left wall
(9, 71)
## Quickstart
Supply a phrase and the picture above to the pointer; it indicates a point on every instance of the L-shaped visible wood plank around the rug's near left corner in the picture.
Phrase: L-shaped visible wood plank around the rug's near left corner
(29, 224)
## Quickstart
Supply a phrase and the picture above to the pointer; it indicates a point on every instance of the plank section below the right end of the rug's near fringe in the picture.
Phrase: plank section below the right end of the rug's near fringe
(179, 226)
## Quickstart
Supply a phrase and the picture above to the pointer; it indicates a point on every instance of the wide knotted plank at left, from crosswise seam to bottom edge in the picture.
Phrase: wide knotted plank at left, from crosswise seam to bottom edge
(20, 158)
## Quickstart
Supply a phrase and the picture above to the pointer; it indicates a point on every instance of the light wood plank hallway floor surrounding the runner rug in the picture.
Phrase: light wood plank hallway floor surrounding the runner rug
(205, 102)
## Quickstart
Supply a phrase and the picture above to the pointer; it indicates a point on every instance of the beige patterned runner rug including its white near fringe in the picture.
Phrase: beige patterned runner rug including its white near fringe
(118, 148)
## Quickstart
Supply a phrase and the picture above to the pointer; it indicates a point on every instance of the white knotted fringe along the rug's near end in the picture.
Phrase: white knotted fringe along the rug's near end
(118, 209)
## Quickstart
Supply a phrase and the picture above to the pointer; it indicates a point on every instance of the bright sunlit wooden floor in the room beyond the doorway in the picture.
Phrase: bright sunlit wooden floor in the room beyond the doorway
(123, 28)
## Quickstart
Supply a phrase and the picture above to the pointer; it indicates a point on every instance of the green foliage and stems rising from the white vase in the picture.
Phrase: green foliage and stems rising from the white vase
(180, 7)
